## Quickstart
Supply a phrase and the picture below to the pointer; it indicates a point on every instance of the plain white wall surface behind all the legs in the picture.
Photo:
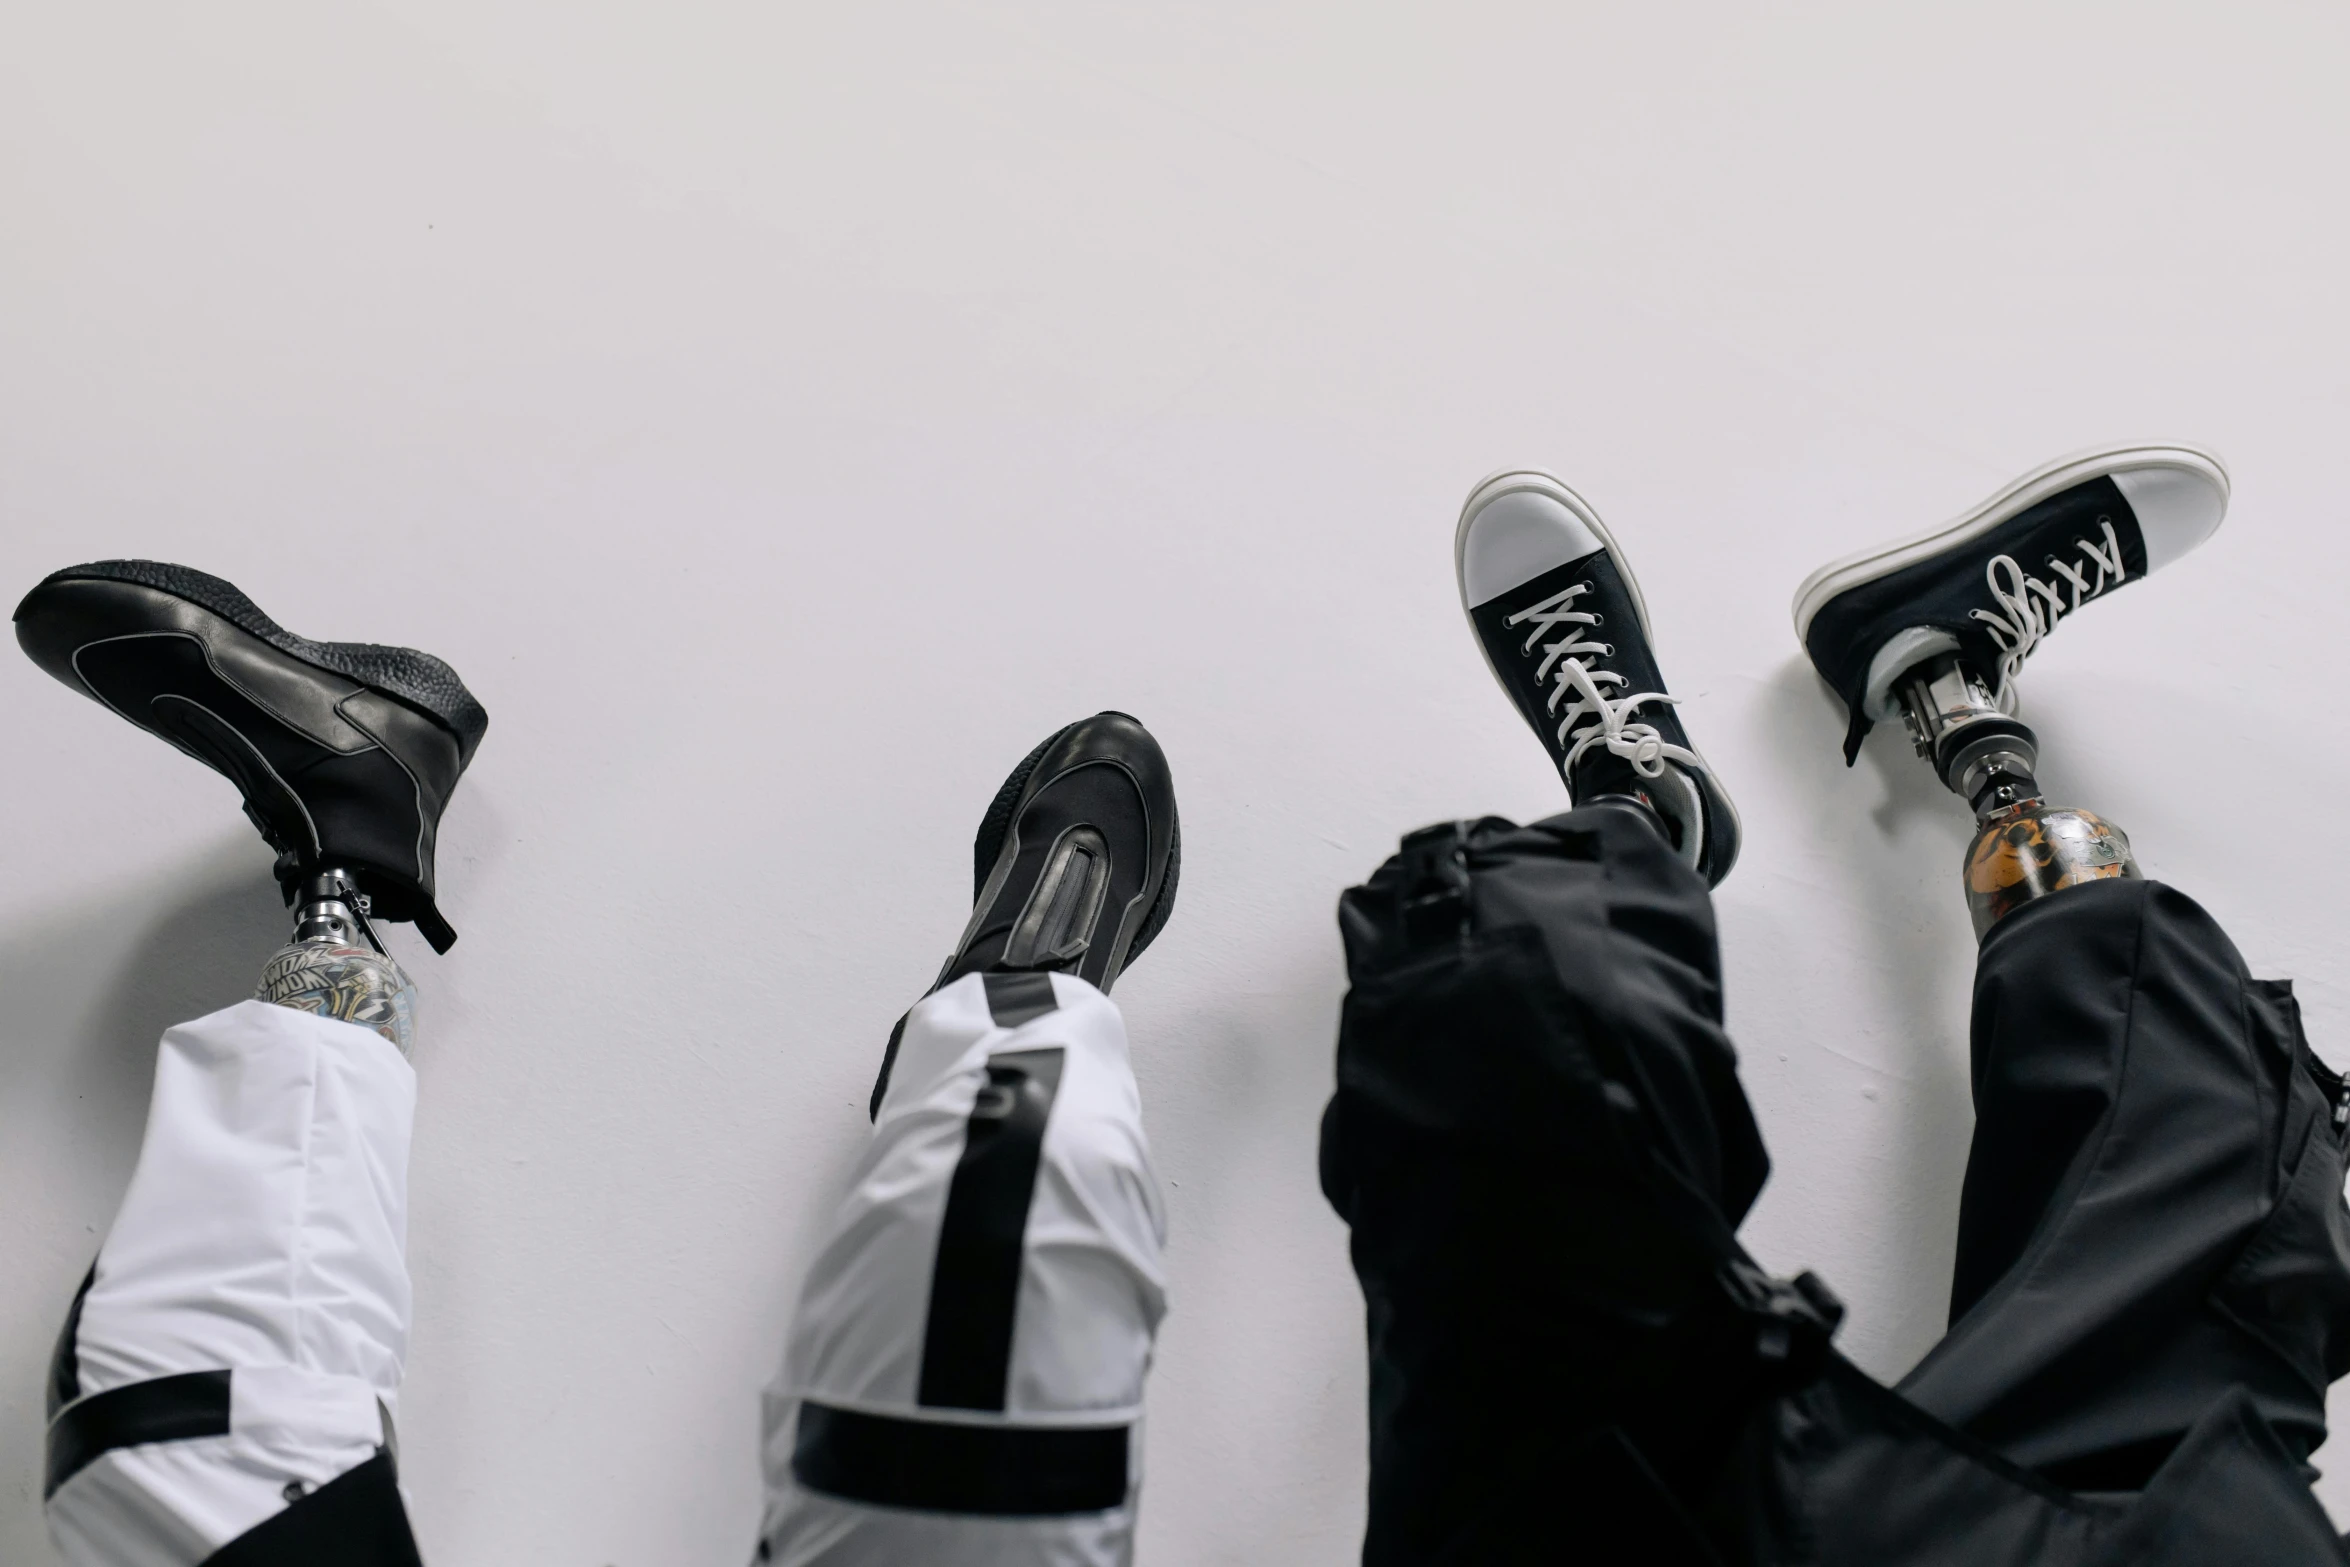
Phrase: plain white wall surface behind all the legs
(784, 415)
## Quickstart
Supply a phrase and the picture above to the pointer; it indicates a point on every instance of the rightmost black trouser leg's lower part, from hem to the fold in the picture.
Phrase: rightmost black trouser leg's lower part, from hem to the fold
(2154, 1202)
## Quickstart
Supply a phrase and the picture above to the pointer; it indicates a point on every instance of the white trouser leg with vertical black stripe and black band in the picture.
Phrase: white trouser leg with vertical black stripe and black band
(906, 1427)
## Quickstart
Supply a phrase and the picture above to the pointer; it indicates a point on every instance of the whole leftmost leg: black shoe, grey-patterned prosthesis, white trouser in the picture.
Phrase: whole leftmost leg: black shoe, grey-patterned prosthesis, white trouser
(227, 1380)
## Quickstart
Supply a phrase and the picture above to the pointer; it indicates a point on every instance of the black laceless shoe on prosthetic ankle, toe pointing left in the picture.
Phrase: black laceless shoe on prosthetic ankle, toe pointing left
(347, 753)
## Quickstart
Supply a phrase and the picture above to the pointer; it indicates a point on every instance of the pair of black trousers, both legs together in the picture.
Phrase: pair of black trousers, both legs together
(1540, 1148)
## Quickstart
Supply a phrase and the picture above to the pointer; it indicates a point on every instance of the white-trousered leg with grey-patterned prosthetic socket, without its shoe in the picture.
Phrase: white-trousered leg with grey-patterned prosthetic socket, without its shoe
(227, 1378)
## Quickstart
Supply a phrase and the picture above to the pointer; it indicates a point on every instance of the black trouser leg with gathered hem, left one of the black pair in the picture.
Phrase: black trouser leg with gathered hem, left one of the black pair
(1540, 1145)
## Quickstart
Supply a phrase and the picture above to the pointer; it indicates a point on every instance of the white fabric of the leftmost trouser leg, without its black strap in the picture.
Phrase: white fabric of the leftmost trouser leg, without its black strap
(264, 1235)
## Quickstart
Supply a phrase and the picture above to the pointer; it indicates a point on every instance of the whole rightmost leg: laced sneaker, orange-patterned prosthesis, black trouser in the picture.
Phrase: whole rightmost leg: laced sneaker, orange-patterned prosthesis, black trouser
(2151, 1282)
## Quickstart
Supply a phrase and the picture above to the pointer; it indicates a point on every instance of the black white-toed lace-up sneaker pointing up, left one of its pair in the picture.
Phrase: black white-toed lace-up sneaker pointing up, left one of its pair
(1566, 633)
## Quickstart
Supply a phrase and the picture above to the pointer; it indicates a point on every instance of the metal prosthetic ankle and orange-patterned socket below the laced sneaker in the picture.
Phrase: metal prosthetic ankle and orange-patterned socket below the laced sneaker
(2025, 849)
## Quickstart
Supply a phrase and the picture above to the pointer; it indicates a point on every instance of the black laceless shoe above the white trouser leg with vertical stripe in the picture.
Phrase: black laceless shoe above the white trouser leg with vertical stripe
(1075, 863)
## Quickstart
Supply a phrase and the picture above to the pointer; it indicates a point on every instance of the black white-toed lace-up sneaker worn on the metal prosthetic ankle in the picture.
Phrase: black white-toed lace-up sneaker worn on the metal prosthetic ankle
(1999, 579)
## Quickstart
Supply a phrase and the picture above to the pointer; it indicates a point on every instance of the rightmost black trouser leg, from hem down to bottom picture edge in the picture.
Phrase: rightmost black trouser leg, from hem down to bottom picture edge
(2154, 1272)
